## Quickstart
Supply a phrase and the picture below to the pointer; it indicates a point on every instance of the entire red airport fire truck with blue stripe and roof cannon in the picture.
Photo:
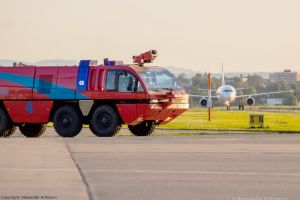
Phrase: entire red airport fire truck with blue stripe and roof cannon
(101, 96)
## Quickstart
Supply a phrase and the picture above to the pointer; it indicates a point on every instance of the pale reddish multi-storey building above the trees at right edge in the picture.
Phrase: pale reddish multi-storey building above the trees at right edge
(287, 76)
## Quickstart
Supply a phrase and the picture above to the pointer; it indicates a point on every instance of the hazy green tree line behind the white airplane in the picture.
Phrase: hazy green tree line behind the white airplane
(252, 83)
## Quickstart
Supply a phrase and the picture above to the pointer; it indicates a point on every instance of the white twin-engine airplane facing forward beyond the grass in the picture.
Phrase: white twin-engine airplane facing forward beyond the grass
(227, 94)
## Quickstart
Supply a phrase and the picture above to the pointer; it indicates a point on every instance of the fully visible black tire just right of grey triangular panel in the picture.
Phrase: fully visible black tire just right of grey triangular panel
(105, 122)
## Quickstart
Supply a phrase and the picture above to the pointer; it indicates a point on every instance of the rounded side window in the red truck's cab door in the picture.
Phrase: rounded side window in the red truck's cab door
(126, 82)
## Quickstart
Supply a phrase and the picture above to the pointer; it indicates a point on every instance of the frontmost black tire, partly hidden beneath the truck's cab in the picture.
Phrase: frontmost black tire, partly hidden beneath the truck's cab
(142, 129)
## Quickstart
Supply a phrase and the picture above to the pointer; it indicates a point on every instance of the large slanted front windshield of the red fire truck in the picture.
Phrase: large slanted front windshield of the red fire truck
(158, 79)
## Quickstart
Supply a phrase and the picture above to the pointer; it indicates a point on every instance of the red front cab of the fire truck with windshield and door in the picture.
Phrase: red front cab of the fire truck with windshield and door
(145, 93)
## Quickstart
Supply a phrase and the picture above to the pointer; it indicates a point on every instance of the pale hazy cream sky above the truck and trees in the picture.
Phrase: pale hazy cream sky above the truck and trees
(247, 35)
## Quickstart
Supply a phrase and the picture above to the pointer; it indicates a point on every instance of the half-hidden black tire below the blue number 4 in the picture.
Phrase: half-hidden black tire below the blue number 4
(32, 130)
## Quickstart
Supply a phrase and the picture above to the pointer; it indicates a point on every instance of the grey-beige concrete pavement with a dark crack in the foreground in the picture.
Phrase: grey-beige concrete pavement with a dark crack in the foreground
(234, 167)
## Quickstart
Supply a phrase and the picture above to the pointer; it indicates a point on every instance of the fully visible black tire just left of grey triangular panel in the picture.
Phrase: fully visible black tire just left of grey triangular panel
(67, 121)
